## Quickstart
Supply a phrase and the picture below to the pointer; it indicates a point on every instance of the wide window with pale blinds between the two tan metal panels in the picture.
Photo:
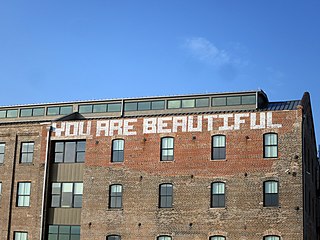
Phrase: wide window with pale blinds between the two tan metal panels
(66, 195)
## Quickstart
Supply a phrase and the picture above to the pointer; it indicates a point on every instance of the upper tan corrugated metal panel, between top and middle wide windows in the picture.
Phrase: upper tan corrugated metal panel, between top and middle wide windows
(67, 172)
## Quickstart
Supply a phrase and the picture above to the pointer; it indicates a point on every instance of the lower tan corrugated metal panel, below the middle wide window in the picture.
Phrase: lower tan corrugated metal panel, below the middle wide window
(65, 216)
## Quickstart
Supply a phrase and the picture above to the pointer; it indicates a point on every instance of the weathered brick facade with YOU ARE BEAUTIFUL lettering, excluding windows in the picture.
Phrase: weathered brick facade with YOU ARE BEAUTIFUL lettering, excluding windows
(191, 173)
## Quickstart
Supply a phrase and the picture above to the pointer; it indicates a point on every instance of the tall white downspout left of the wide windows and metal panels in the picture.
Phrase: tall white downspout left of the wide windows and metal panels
(45, 177)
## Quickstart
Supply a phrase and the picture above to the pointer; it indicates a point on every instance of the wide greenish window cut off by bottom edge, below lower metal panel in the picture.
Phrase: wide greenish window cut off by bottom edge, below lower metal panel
(63, 232)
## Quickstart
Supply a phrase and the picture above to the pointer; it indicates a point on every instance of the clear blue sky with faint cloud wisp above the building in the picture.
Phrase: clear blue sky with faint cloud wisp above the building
(62, 50)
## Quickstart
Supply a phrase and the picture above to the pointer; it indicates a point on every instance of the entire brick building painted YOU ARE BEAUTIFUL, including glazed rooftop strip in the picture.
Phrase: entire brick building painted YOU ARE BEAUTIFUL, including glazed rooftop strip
(226, 166)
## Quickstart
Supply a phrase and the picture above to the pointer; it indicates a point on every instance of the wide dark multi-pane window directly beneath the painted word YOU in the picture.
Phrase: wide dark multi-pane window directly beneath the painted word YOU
(69, 152)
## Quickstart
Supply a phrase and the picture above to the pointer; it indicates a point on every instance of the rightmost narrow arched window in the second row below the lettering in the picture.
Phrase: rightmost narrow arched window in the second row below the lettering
(270, 194)
